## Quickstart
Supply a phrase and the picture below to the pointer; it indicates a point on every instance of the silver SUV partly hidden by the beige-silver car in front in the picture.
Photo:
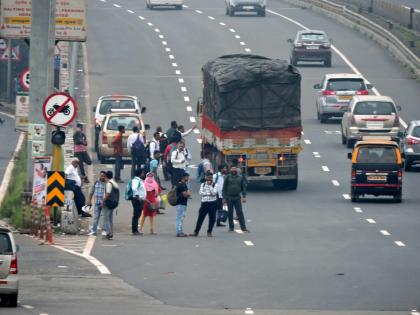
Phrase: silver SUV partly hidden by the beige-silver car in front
(335, 93)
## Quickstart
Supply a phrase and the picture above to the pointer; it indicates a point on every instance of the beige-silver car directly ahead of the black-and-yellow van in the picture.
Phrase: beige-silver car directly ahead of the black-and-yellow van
(370, 115)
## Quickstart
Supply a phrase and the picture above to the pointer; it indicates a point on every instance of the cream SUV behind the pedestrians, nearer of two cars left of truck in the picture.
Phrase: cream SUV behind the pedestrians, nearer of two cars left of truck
(109, 129)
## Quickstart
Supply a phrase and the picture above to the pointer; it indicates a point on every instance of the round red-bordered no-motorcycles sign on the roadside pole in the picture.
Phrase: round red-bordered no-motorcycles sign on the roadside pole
(59, 109)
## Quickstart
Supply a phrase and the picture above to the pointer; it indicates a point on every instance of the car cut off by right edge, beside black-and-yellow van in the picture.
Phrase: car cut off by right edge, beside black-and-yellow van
(411, 145)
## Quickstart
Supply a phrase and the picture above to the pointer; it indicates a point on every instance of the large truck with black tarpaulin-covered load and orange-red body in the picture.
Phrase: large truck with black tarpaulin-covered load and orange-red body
(251, 117)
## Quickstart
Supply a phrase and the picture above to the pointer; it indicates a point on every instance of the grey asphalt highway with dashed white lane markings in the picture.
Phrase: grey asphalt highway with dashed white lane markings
(310, 249)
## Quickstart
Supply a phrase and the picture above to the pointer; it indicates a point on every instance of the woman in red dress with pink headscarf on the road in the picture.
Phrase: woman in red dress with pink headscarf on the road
(151, 205)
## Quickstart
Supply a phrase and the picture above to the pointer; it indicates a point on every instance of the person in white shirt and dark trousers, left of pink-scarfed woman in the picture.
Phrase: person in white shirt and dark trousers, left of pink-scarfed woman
(139, 197)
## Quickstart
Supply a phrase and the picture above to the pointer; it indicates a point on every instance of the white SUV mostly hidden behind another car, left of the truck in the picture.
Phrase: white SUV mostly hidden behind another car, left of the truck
(116, 102)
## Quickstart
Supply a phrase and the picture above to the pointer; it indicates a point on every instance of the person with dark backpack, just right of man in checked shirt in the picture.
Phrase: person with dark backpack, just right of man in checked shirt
(110, 203)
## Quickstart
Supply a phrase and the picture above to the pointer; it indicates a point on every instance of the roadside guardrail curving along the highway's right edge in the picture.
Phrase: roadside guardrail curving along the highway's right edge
(385, 38)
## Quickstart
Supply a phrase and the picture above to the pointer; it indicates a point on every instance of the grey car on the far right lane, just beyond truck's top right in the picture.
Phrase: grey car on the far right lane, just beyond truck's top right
(310, 45)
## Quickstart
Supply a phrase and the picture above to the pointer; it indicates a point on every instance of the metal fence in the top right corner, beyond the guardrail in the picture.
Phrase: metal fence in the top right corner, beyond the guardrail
(408, 17)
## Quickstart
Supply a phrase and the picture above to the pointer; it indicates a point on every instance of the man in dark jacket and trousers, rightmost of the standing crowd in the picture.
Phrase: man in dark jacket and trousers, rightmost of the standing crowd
(234, 185)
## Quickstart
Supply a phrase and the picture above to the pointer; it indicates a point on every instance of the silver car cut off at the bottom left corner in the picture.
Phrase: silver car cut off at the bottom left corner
(9, 282)
